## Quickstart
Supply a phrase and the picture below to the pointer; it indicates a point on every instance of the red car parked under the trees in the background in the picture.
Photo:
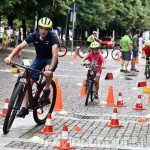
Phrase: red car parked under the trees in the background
(107, 41)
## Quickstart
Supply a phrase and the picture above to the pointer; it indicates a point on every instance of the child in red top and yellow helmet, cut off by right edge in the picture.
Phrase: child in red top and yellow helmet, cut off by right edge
(146, 50)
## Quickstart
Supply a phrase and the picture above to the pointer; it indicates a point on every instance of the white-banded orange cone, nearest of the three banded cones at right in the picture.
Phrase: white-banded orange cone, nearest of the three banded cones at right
(114, 123)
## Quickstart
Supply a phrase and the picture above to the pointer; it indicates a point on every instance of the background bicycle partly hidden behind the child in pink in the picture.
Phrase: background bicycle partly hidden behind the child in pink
(83, 51)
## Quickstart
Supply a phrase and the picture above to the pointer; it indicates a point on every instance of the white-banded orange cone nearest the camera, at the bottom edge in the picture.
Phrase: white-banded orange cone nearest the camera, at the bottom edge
(64, 141)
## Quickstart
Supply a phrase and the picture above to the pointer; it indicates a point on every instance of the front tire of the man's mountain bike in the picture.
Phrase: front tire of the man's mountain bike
(14, 105)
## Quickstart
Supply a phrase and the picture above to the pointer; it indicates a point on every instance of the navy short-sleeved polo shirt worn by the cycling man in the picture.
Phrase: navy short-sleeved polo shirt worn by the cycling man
(43, 48)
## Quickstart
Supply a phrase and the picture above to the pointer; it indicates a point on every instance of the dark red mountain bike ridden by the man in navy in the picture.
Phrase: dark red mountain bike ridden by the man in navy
(40, 110)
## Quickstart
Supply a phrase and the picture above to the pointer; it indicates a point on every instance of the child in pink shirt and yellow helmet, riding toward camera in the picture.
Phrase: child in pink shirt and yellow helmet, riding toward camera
(96, 58)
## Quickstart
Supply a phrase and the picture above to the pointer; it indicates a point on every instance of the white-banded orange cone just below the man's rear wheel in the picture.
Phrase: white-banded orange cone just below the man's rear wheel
(48, 129)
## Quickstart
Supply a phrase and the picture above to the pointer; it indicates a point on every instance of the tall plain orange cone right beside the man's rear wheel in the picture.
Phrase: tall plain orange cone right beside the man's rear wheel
(58, 103)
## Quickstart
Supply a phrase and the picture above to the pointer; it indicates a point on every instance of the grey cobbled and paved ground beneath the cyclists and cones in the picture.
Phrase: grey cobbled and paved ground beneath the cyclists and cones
(92, 119)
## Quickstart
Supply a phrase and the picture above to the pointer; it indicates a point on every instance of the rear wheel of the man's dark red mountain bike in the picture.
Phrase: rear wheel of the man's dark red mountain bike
(40, 114)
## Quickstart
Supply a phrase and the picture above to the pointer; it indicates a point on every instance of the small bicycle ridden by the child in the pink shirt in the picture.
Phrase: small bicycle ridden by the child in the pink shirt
(90, 82)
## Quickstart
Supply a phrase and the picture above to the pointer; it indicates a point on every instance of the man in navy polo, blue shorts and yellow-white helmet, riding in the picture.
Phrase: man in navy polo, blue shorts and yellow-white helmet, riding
(46, 46)
